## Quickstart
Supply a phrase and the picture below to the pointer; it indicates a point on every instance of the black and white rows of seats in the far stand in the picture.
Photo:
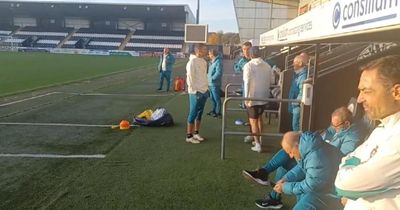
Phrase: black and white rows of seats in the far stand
(94, 39)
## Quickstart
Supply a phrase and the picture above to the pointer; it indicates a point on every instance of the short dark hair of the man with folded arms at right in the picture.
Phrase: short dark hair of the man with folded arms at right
(388, 68)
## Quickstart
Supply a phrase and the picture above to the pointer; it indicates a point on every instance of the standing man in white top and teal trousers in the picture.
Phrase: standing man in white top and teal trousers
(196, 79)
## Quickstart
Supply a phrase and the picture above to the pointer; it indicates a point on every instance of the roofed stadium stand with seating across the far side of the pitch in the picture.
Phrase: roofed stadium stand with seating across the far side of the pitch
(115, 25)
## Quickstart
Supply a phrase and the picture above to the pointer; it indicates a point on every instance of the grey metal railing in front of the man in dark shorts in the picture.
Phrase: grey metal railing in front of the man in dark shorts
(225, 109)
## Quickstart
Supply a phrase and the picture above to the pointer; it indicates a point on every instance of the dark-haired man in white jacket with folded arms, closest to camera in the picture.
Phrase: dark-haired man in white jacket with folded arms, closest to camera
(369, 177)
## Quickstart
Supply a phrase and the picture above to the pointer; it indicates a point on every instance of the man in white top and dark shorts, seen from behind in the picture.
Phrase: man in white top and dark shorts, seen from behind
(257, 76)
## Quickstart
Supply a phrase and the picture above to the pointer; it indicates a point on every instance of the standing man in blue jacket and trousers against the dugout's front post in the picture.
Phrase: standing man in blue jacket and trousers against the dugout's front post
(296, 90)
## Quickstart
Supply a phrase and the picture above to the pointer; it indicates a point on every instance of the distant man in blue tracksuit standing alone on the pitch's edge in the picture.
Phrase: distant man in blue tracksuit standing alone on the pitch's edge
(167, 60)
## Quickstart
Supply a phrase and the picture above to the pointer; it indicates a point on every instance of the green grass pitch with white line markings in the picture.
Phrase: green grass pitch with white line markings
(144, 168)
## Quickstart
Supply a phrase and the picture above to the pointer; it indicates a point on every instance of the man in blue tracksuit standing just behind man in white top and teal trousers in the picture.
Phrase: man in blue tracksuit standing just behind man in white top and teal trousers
(214, 82)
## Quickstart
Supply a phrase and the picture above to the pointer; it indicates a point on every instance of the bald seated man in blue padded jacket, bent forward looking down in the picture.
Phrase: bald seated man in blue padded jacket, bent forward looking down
(311, 180)
